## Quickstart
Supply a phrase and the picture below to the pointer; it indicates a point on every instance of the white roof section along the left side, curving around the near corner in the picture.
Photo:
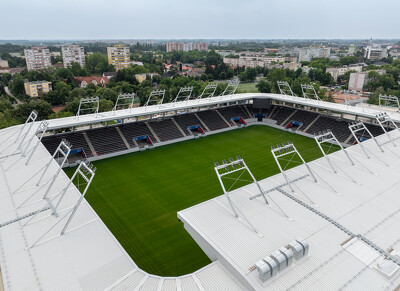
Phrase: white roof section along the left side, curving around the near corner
(87, 256)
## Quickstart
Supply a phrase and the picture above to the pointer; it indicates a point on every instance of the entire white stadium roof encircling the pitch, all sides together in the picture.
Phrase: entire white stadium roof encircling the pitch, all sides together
(77, 260)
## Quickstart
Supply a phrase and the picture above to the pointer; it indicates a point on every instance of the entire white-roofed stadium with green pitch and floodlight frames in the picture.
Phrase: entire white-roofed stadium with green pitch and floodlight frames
(251, 191)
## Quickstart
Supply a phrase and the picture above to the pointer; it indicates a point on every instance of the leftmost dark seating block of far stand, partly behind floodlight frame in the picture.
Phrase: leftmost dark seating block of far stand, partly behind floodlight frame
(75, 138)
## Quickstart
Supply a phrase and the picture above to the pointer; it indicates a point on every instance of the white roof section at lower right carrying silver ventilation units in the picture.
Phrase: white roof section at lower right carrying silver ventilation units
(338, 258)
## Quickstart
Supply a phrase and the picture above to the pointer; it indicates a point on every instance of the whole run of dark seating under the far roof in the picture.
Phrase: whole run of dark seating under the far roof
(107, 139)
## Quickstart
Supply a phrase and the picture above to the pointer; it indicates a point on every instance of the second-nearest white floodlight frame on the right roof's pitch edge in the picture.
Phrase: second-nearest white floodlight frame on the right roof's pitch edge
(283, 151)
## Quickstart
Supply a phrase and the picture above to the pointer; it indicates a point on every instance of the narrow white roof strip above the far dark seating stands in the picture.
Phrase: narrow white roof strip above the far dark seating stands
(183, 105)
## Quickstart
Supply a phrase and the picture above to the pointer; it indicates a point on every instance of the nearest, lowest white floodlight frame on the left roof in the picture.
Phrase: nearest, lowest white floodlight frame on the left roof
(87, 172)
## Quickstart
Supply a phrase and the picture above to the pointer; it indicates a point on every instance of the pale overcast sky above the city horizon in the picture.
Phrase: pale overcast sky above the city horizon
(194, 19)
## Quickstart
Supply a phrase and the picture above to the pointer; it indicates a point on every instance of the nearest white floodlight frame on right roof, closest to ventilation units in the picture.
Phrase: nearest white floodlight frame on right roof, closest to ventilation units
(229, 168)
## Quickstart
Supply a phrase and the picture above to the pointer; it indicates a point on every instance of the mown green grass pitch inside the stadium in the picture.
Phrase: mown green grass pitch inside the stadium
(138, 195)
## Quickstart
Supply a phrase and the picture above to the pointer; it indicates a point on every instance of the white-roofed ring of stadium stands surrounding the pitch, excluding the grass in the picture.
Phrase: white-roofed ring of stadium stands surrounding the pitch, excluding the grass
(336, 231)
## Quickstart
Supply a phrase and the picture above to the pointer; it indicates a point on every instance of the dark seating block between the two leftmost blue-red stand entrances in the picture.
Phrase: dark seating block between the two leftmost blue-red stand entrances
(106, 140)
